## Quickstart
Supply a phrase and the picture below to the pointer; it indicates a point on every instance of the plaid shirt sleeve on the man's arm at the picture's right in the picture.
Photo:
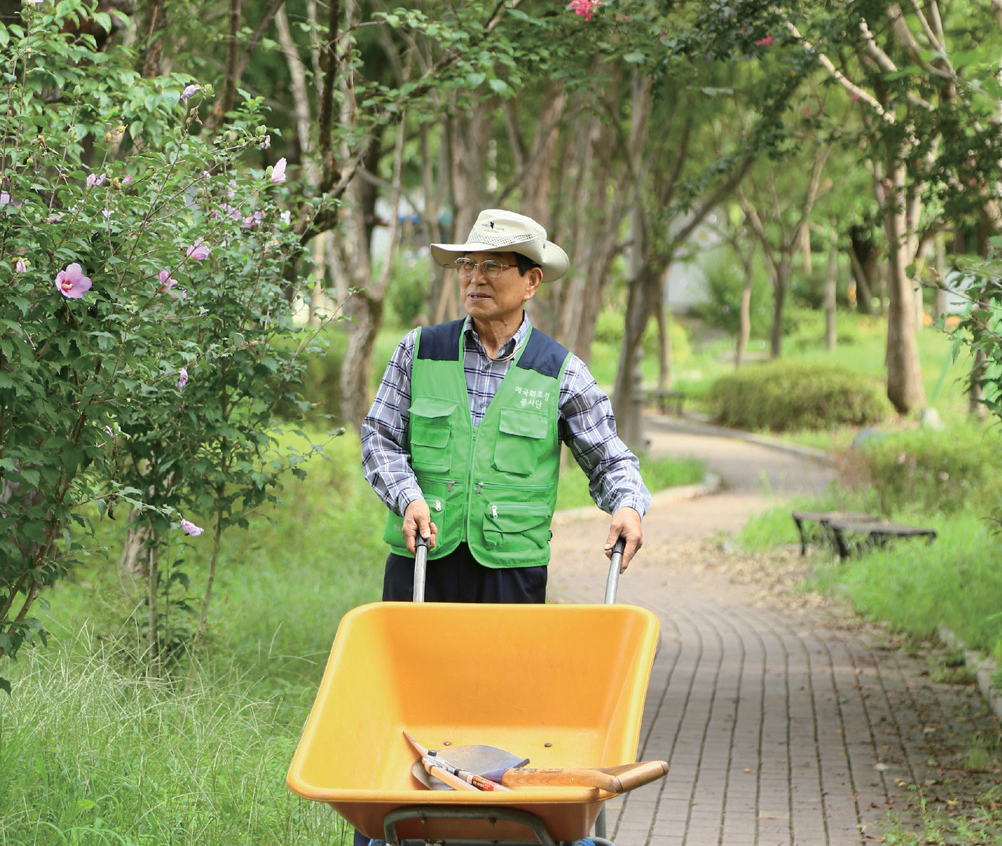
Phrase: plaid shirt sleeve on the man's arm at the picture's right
(590, 431)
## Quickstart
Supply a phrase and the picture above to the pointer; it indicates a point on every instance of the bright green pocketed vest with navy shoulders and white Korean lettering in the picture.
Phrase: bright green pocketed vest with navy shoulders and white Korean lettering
(493, 487)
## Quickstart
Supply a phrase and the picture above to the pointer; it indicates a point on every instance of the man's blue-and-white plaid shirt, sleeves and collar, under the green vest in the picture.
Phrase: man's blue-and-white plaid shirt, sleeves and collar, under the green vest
(587, 426)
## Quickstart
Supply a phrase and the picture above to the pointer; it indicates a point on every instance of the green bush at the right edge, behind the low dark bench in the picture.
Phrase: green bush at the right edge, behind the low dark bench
(935, 472)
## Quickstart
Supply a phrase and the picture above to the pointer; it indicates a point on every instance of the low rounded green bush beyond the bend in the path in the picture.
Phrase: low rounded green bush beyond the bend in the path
(781, 396)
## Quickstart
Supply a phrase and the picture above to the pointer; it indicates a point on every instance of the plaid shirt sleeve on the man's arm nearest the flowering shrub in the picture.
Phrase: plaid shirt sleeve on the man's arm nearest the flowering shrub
(385, 459)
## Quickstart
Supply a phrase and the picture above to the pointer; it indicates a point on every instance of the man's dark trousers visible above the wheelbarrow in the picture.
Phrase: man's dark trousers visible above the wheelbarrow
(458, 578)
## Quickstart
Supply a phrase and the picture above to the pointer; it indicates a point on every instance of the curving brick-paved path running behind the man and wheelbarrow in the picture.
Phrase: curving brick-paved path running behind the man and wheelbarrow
(783, 722)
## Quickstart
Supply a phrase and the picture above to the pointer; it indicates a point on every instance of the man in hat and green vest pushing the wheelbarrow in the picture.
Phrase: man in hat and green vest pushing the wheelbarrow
(463, 440)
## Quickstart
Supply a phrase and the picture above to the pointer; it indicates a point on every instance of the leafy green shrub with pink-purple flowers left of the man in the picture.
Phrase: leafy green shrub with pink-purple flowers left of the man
(147, 278)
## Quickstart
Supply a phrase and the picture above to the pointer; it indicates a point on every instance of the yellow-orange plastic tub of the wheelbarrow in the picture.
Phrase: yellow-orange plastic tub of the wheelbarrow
(563, 686)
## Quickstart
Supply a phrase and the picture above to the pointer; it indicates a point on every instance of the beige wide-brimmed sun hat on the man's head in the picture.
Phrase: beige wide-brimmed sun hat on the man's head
(498, 231)
